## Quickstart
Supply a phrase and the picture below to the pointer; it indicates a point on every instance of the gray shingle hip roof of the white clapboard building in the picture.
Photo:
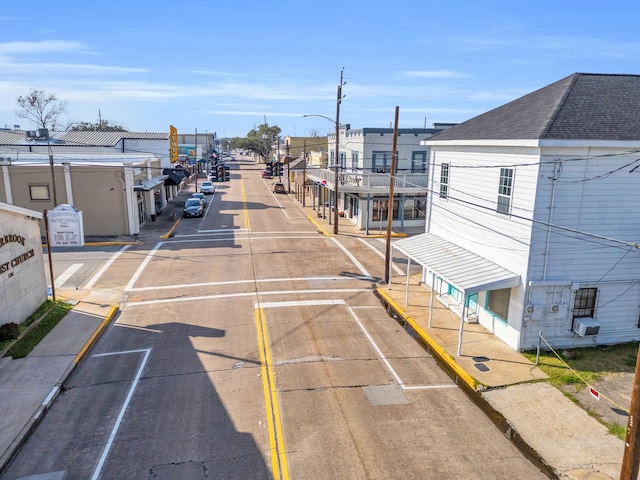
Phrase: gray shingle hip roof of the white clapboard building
(582, 106)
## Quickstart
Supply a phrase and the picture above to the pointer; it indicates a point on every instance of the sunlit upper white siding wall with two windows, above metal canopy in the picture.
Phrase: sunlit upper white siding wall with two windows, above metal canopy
(468, 216)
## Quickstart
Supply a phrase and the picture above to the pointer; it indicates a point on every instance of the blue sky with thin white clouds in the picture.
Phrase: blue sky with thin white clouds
(226, 66)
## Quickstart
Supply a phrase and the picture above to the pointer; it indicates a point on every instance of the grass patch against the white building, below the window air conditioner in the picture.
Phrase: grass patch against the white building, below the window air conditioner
(590, 364)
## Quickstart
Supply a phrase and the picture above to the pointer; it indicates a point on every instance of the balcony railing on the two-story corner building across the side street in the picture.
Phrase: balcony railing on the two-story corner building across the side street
(369, 181)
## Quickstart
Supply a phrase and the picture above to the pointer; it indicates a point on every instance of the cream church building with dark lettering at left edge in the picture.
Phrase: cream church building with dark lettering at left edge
(23, 286)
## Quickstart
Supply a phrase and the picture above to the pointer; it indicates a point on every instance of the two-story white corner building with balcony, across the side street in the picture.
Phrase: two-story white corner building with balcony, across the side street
(364, 176)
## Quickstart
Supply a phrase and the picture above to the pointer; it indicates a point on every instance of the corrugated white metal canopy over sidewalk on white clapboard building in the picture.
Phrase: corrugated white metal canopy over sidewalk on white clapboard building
(464, 270)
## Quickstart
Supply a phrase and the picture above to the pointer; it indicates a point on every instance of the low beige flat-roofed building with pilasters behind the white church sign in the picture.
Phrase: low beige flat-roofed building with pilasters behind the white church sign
(116, 193)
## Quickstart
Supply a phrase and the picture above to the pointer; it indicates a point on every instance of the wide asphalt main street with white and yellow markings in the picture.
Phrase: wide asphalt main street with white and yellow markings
(249, 346)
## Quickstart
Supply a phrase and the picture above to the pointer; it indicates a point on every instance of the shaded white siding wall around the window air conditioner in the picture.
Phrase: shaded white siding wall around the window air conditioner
(599, 196)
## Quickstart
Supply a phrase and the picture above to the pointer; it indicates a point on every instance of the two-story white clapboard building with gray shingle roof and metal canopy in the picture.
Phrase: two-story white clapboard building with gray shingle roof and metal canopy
(531, 212)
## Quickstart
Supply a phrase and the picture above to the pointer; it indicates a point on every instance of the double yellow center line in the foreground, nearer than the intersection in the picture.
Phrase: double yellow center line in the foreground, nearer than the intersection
(274, 423)
